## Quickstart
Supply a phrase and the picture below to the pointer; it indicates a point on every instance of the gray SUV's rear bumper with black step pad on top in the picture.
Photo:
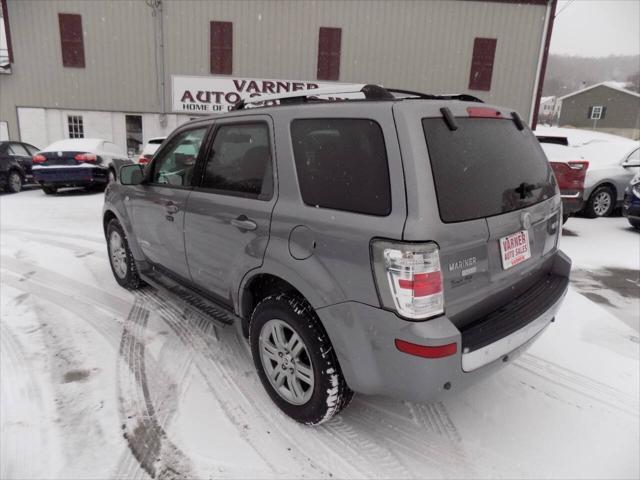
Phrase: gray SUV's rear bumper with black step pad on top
(363, 338)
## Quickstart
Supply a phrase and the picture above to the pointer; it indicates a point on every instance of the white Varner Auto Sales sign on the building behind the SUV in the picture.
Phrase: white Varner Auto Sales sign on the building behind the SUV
(206, 95)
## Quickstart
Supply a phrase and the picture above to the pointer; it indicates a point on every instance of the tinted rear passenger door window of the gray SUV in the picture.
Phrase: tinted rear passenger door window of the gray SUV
(240, 161)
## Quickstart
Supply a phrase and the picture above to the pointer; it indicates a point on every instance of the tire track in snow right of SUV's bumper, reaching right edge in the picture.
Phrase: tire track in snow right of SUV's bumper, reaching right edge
(577, 383)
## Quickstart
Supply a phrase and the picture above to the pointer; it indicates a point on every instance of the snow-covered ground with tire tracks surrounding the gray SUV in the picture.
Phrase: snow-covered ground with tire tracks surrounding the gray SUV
(97, 382)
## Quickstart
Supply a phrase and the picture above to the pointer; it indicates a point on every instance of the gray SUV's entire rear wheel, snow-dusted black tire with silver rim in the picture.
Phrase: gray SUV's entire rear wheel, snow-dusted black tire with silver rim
(315, 366)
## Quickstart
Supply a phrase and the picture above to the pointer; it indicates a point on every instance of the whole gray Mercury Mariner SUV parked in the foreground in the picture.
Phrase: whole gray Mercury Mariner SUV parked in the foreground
(389, 246)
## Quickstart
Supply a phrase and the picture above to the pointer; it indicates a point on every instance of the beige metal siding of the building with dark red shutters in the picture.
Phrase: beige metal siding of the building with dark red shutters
(421, 45)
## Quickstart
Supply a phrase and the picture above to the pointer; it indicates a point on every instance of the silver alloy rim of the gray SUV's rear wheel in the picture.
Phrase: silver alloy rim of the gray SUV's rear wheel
(286, 362)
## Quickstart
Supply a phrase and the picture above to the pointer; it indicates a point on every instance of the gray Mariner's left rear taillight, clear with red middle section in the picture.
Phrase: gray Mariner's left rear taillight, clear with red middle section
(408, 278)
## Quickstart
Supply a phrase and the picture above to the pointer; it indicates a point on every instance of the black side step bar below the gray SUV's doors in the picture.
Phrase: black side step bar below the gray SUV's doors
(190, 298)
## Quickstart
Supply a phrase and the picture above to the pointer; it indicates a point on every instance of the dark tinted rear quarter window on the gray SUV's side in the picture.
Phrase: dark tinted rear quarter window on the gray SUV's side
(342, 164)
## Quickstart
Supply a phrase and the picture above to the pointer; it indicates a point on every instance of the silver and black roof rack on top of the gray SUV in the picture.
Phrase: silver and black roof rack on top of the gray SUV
(370, 91)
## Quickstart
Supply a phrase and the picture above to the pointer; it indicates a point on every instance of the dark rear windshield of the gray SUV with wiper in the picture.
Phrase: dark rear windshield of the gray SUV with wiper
(486, 167)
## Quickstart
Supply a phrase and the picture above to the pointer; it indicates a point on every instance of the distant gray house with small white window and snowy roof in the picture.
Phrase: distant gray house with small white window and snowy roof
(607, 107)
